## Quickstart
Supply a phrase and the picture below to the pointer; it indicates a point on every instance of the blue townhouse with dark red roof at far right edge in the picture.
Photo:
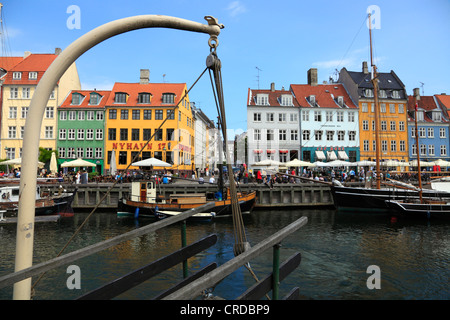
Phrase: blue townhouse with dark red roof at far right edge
(432, 127)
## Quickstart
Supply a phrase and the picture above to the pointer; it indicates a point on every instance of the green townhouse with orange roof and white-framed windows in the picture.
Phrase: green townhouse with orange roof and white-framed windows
(81, 127)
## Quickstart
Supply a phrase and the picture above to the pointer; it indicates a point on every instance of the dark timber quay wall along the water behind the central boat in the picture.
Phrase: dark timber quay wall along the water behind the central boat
(281, 195)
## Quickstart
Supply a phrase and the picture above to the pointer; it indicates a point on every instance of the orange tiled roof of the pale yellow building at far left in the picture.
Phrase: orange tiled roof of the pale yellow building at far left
(32, 63)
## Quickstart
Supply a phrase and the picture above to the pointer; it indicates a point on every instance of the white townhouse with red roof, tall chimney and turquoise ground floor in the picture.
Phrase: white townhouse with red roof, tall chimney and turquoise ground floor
(328, 121)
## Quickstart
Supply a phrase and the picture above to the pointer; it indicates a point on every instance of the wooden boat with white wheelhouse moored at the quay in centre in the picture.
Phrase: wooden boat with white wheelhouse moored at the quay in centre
(145, 201)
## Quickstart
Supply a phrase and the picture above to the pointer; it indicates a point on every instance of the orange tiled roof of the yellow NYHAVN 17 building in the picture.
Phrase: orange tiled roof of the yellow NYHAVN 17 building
(155, 89)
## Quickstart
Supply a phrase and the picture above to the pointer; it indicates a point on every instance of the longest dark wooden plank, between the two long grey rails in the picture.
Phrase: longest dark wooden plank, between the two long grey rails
(134, 278)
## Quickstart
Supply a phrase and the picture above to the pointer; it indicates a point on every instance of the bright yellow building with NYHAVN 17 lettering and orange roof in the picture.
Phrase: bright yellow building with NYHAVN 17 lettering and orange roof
(139, 112)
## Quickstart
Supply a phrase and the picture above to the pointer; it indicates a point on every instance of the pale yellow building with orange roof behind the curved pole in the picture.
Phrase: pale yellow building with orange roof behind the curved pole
(19, 84)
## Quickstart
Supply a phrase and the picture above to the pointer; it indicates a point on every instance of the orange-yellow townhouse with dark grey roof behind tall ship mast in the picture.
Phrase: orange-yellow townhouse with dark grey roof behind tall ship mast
(392, 126)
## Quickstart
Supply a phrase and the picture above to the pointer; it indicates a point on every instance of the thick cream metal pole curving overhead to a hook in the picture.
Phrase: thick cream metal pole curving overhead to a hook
(25, 223)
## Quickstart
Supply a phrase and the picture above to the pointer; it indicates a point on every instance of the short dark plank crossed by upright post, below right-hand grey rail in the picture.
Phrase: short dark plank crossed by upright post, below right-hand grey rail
(258, 290)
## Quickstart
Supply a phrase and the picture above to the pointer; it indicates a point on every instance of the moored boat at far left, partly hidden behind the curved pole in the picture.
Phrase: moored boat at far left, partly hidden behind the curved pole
(46, 203)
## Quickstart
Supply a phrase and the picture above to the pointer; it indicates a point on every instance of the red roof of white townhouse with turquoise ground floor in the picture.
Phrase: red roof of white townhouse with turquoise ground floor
(326, 95)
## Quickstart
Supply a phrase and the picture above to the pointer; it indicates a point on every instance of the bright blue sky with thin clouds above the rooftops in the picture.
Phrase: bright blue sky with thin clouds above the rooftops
(263, 42)
